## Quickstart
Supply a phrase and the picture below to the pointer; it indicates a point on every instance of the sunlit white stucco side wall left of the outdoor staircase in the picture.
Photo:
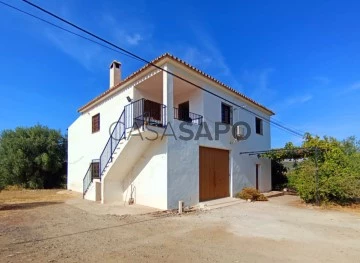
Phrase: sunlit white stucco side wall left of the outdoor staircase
(83, 145)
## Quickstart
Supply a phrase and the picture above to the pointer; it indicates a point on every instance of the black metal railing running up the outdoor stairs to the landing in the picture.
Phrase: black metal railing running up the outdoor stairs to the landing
(137, 114)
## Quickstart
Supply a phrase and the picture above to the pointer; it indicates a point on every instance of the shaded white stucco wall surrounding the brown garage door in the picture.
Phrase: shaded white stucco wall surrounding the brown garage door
(183, 156)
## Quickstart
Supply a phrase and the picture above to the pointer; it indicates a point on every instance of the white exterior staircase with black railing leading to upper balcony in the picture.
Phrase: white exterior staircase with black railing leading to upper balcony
(124, 146)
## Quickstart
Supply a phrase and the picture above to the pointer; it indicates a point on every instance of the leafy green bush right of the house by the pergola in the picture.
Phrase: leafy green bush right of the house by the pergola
(338, 171)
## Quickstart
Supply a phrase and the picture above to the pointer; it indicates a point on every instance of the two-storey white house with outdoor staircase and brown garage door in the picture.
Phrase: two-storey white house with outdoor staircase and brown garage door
(118, 151)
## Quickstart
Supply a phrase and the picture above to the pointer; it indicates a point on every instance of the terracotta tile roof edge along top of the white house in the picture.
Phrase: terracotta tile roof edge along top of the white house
(158, 59)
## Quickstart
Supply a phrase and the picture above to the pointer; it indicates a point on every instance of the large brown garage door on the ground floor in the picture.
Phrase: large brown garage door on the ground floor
(214, 173)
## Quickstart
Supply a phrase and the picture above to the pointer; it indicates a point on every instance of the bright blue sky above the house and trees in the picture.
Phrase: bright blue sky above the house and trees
(299, 58)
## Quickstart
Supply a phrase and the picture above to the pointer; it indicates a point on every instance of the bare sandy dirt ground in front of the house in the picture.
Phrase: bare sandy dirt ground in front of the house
(46, 226)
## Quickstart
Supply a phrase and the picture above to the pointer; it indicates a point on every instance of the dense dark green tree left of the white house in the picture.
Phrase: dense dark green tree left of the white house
(33, 157)
